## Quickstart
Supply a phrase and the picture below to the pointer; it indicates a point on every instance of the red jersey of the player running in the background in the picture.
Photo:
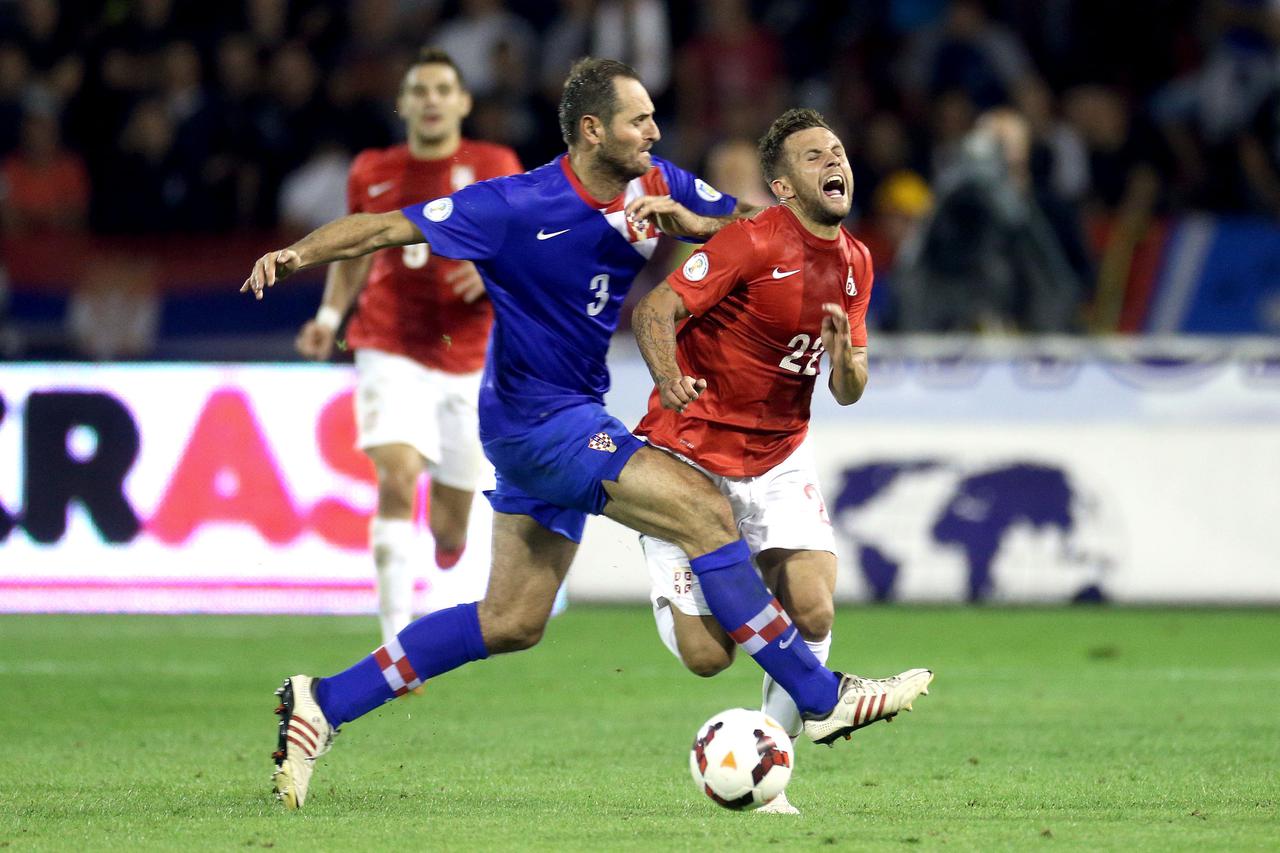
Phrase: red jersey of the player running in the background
(408, 305)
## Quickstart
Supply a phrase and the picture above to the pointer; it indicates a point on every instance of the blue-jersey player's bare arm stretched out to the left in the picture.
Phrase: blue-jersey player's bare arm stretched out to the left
(348, 238)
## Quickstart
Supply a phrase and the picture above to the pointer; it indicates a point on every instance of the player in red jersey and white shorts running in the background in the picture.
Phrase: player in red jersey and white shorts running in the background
(419, 334)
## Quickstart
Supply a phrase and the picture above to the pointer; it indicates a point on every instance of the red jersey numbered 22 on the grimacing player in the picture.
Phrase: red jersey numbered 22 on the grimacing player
(756, 293)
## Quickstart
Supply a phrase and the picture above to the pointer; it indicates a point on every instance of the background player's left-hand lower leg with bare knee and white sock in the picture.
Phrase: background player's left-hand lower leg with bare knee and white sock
(392, 533)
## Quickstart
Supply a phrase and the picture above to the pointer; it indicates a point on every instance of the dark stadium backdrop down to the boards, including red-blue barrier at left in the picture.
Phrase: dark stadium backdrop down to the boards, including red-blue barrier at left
(150, 148)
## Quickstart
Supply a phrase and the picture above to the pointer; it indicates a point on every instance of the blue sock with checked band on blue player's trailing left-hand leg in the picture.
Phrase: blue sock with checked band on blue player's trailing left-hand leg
(428, 647)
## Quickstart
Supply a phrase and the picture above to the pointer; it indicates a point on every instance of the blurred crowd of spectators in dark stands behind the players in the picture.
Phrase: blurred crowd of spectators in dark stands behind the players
(1009, 156)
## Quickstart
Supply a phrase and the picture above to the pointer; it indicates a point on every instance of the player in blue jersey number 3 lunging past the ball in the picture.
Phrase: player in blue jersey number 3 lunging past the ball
(559, 248)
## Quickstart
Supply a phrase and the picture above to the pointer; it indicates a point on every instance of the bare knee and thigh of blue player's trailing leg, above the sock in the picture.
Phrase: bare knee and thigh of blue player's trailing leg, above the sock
(529, 565)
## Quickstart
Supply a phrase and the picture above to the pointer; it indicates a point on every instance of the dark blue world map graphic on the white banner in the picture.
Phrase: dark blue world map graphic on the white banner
(998, 530)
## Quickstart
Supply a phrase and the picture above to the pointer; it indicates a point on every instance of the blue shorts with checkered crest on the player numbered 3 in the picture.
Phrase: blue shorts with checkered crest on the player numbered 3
(556, 471)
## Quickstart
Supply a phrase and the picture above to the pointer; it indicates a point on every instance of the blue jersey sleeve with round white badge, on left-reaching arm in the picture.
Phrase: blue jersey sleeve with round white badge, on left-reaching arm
(470, 225)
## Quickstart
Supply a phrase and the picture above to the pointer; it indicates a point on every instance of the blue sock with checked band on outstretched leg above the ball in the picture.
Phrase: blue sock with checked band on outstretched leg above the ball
(746, 608)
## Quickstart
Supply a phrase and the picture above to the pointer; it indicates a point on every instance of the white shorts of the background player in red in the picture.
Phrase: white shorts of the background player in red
(400, 402)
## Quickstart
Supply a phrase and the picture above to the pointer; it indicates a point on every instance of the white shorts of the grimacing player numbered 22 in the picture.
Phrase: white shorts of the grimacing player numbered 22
(780, 509)
